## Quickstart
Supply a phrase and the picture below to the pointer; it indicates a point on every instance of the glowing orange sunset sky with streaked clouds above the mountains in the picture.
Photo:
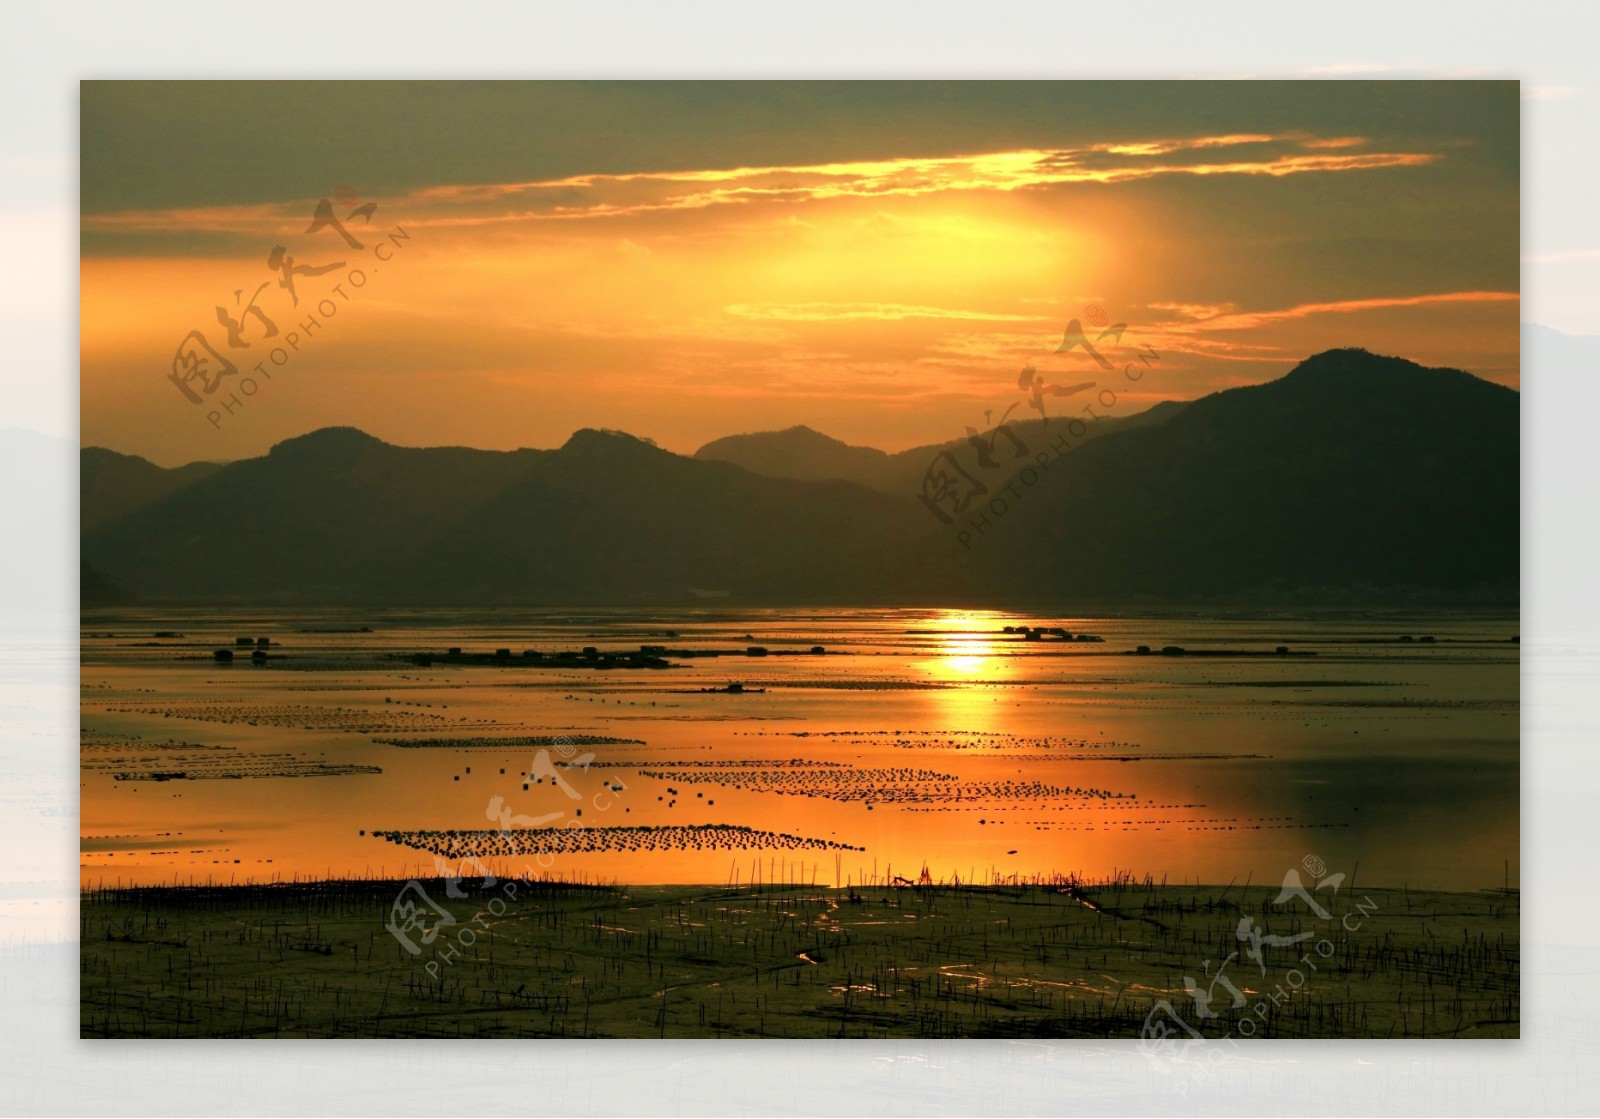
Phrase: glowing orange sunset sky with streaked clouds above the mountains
(887, 300)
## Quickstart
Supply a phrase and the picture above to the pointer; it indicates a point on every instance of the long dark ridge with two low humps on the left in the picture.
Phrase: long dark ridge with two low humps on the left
(338, 516)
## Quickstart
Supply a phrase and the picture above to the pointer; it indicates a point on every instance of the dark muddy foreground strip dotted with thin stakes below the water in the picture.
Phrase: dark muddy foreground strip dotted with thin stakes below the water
(794, 960)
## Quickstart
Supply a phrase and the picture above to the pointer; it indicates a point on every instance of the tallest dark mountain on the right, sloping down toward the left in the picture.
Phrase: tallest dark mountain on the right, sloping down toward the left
(1353, 471)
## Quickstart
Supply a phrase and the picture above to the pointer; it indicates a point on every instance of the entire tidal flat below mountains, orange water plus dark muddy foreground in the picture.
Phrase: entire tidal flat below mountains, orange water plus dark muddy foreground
(817, 824)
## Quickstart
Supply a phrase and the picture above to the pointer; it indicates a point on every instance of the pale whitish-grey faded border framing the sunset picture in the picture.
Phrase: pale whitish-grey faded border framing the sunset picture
(46, 1070)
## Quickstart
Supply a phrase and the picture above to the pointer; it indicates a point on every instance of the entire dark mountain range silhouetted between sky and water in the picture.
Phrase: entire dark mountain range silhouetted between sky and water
(1353, 479)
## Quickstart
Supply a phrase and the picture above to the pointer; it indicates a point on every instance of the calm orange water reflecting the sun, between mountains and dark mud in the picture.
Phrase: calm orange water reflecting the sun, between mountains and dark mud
(958, 748)
